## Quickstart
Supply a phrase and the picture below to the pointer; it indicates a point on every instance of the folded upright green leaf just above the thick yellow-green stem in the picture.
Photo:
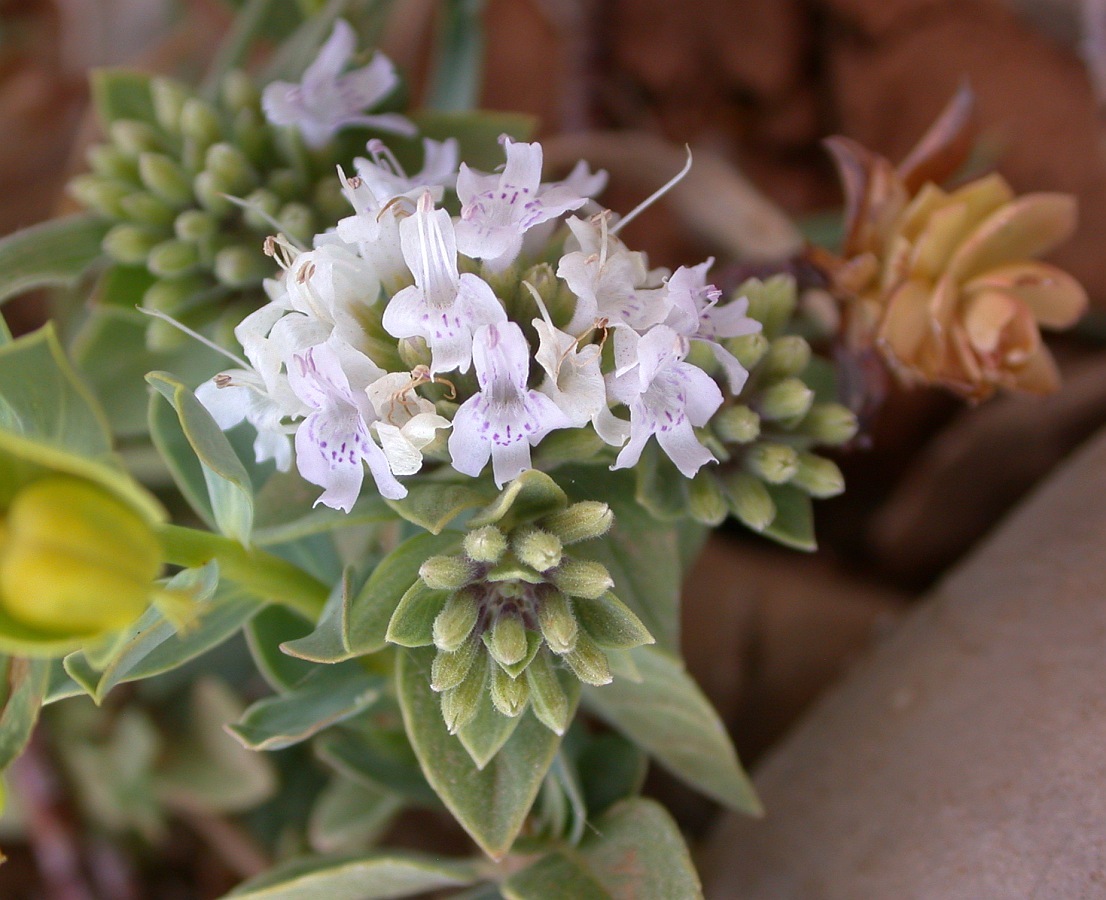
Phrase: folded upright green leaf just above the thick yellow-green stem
(229, 490)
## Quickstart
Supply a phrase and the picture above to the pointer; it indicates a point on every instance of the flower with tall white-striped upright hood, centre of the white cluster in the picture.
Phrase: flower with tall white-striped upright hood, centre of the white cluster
(443, 307)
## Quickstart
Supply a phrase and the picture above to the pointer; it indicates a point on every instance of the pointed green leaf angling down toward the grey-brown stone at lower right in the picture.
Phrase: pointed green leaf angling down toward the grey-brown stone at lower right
(669, 717)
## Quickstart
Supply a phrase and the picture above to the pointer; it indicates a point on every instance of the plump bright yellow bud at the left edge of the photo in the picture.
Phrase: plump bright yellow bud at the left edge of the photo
(75, 559)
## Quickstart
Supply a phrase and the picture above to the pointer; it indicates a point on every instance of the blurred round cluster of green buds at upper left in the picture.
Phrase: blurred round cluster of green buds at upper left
(165, 181)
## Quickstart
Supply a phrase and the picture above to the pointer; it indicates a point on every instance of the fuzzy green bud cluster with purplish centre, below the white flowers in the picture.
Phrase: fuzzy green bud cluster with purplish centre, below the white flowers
(513, 608)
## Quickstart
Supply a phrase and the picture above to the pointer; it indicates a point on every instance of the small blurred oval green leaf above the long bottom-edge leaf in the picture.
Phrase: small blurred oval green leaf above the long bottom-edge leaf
(350, 815)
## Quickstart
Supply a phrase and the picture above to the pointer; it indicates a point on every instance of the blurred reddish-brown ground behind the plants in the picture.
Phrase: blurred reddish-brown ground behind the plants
(755, 85)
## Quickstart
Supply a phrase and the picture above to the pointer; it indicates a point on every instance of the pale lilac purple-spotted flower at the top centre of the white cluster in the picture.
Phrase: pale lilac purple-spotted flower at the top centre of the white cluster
(497, 211)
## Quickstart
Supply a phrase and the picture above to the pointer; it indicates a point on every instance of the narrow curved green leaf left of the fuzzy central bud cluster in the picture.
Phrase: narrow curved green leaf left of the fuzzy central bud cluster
(373, 608)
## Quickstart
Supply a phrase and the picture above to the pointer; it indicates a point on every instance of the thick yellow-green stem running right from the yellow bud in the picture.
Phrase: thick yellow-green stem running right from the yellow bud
(259, 572)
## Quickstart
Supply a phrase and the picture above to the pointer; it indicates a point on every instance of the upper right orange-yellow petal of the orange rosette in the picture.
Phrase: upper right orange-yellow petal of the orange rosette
(1028, 227)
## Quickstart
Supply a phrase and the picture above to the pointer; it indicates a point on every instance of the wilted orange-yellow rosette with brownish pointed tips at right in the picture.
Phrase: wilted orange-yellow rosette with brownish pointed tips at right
(945, 284)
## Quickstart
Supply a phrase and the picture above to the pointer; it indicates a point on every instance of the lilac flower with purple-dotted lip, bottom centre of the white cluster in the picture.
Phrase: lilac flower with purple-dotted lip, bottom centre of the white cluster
(505, 420)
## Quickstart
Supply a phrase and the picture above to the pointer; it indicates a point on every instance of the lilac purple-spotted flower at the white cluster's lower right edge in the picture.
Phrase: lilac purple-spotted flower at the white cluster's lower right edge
(667, 399)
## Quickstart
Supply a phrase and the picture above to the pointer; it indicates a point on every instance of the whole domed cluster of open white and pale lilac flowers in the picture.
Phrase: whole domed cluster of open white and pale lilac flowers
(408, 333)
